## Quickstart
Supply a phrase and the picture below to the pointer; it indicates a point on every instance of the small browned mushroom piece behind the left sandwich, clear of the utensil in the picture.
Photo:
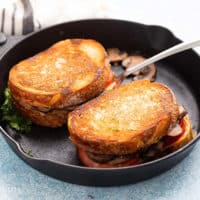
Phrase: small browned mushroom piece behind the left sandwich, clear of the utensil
(115, 55)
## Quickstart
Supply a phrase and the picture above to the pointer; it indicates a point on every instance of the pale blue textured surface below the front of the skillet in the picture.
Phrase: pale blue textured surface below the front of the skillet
(20, 181)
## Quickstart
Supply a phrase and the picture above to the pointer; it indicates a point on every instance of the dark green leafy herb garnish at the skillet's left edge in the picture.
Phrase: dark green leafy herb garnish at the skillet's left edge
(10, 115)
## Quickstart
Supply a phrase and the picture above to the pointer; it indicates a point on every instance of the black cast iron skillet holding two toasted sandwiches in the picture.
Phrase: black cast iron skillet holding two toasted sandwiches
(50, 151)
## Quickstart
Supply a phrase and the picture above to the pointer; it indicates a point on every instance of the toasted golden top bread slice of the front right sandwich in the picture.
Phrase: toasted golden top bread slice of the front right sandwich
(124, 120)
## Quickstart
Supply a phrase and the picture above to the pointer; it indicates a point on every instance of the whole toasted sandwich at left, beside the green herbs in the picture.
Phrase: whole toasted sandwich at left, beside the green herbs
(45, 87)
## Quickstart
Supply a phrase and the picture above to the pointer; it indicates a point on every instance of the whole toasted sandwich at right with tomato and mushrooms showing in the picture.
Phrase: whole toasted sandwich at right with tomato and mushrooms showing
(129, 125)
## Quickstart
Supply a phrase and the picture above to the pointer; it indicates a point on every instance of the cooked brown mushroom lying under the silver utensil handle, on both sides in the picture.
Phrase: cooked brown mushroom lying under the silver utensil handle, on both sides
(147, 73)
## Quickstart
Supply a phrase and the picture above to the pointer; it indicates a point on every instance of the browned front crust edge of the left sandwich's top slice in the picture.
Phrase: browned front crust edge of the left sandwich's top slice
(61, 100)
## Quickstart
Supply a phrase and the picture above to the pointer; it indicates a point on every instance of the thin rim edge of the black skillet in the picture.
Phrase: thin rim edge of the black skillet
(142, 165)
